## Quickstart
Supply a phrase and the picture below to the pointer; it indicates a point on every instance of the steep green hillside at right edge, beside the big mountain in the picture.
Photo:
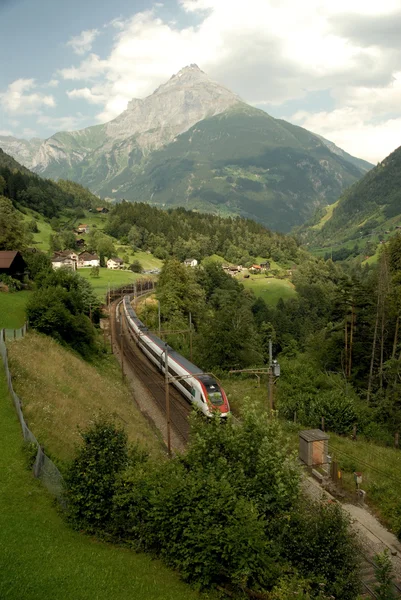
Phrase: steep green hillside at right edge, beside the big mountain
(367, 213)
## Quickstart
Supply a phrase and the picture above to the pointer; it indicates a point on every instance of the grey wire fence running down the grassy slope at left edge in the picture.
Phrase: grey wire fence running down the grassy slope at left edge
(43, 468)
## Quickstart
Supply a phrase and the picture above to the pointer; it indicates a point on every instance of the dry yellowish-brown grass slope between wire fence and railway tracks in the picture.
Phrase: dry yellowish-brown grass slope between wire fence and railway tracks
(61, 393)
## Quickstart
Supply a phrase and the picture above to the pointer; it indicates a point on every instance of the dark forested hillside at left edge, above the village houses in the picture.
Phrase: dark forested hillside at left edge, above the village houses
(25, 189)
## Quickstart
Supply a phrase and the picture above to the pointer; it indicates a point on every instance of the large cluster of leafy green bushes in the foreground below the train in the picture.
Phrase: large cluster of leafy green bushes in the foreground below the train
(226, 511)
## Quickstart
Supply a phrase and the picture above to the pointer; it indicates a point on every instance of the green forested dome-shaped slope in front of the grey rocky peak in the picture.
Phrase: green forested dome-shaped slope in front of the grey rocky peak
(241, 162)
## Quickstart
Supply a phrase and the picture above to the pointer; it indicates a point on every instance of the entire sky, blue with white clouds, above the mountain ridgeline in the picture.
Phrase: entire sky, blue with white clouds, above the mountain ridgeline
(333, 67)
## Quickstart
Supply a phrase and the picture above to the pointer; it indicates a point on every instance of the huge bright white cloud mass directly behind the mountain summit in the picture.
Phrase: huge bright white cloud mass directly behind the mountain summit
(269, 52)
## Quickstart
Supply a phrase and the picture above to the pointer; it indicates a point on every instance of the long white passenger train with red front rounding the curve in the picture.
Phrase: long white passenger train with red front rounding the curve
(201, 389)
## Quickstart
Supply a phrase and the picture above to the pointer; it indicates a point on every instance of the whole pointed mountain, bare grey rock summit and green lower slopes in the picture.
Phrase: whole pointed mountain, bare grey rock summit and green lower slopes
(195, 143)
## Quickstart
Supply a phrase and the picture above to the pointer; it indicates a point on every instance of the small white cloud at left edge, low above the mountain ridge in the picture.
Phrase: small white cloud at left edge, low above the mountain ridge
(19, 98)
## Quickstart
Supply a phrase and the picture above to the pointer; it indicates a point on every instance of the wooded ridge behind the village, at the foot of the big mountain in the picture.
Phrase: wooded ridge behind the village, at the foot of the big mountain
(189, 234)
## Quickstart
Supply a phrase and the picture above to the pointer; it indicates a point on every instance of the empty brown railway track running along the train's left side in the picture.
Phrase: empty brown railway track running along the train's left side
(152, 379)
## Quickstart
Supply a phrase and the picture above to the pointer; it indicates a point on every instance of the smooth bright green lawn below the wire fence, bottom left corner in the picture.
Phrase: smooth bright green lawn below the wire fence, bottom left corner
(42, 558)
